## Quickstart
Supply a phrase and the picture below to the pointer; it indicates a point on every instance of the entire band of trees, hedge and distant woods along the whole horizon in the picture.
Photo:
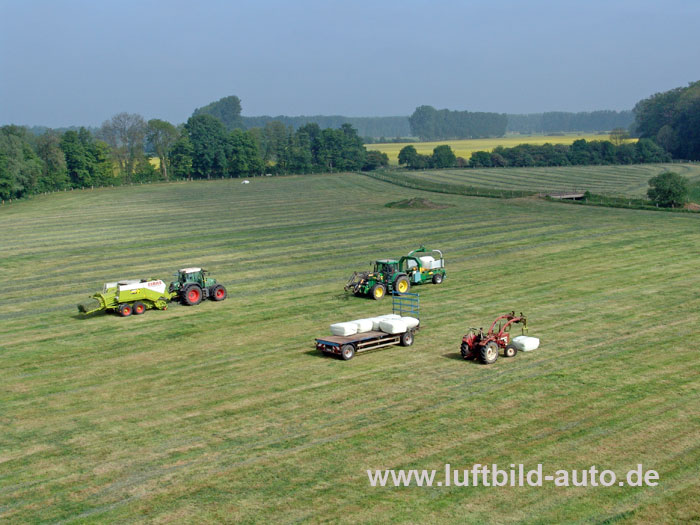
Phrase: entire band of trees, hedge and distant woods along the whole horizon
(217, 141)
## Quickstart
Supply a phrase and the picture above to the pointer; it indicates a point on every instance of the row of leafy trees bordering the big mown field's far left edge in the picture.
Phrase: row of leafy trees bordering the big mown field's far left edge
(122, 150)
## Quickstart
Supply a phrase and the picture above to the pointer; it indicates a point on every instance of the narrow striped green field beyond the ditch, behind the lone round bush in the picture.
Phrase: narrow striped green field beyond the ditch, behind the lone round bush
(624, 180)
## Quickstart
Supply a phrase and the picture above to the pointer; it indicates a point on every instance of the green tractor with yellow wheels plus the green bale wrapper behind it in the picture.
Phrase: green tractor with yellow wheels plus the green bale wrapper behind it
(391, 275)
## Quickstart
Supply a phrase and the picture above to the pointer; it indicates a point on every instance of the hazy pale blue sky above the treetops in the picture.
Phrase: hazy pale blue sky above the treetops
(72, 62)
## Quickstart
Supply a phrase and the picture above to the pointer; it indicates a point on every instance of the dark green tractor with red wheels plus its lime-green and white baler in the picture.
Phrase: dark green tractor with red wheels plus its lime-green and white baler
(135, 296)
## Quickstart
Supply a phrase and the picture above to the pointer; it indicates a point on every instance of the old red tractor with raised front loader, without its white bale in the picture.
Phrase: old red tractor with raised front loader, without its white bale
(485, 346)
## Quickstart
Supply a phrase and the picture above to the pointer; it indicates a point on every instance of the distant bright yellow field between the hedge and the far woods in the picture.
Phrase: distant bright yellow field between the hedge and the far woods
(464, 148)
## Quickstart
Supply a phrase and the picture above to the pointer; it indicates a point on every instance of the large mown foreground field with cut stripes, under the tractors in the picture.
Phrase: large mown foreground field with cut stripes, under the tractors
(225, 412)
